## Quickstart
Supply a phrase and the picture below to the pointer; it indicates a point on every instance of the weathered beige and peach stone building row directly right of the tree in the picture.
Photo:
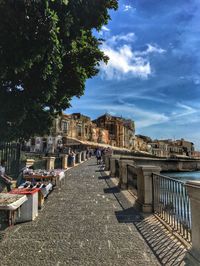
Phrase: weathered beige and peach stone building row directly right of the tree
(67, 131)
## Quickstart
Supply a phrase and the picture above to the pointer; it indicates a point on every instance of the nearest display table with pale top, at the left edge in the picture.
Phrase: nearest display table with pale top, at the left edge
(11, 204)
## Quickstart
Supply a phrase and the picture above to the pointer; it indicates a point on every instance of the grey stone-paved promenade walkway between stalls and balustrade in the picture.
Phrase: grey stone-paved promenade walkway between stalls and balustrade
(84, 223)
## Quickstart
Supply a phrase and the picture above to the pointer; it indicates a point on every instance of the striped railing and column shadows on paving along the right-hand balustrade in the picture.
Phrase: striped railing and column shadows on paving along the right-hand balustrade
(168, 249)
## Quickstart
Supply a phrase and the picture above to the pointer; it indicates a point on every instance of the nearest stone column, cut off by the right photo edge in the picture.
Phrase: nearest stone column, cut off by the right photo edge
(192, 257)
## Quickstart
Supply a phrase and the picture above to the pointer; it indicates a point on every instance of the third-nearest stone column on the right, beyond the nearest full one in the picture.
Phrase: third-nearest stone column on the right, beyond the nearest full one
(123, 175)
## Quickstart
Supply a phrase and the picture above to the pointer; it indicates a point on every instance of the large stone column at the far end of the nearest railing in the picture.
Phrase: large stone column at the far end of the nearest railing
(144, 185)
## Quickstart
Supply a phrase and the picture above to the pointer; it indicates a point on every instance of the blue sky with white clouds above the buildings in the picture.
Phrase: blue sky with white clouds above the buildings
(153, 75)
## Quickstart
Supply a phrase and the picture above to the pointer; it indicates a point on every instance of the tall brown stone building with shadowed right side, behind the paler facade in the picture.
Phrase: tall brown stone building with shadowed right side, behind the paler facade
(121, 131)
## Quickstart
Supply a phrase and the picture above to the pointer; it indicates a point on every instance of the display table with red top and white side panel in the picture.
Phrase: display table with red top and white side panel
(29, 210)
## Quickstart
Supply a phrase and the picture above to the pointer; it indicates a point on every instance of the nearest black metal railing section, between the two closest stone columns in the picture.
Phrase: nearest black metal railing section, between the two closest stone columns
(172, 204)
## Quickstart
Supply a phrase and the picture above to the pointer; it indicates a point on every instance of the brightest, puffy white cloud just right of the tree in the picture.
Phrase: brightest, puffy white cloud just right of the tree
(124, 63)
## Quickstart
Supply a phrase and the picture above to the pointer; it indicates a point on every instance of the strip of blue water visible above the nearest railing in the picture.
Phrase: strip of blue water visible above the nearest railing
(184, 176)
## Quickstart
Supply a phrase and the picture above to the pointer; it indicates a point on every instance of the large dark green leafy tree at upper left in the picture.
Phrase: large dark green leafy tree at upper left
(47, 51)
